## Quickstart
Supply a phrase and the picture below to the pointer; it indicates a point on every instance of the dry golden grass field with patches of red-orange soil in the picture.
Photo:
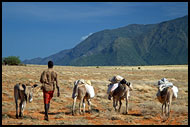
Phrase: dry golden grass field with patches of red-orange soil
(144, 108)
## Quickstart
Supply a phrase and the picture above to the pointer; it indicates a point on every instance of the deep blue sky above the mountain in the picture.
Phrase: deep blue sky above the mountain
(40, 29)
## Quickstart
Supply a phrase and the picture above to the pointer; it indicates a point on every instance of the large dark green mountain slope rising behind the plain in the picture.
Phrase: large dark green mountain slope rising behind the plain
(154, 44)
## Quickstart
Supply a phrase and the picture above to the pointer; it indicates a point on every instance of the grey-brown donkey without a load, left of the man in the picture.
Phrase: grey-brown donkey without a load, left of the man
(23, 93)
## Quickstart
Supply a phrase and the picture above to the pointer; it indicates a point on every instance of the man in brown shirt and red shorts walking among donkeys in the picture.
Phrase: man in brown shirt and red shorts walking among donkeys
(48, 80)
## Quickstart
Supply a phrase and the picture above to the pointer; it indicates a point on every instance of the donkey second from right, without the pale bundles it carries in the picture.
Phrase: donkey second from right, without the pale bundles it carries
(121, 92)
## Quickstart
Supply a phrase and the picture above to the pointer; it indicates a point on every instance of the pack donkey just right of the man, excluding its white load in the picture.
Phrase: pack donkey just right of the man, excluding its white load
(79, 92)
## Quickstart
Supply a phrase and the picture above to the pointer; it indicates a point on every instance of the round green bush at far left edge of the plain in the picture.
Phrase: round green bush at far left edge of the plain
(11, 60)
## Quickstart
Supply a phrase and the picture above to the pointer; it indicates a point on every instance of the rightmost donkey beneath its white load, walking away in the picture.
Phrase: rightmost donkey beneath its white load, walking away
(165, 99)
